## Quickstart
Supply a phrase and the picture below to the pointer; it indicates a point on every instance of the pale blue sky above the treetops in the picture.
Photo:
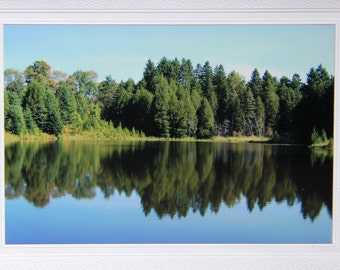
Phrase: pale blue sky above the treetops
(122, 51)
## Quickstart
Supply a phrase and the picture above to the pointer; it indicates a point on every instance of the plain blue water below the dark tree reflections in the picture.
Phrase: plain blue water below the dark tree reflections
(120, 219)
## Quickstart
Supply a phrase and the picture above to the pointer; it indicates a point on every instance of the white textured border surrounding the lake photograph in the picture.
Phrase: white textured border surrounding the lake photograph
(174, 256)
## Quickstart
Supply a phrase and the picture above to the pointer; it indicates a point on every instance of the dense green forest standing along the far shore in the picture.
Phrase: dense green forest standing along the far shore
(174, 99)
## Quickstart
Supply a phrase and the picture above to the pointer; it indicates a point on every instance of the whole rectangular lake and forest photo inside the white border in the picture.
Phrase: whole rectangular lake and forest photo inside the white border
(215, 134)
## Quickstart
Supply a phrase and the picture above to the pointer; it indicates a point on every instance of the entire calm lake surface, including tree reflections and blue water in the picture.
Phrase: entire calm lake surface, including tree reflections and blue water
(166, 192)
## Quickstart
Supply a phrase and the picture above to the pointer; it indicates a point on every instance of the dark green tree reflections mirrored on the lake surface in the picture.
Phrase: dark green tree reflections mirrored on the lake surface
(172, 178)
